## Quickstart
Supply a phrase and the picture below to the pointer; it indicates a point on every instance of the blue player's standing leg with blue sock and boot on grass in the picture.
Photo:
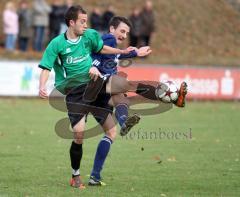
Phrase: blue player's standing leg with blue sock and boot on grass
(102, 151)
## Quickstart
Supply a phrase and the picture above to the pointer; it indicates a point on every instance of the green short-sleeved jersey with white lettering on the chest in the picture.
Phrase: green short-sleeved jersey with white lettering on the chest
(71, 60)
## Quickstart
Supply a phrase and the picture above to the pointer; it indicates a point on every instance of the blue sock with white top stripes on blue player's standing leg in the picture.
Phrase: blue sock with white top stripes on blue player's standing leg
(101, 154)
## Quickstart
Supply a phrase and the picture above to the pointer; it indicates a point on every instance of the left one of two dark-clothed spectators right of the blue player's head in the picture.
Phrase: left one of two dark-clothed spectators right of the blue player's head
(135, 32)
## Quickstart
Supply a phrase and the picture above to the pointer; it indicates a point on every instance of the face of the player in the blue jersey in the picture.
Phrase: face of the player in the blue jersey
(121, 32)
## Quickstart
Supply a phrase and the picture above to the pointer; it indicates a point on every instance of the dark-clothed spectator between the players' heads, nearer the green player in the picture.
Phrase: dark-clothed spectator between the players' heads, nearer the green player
(96, 20)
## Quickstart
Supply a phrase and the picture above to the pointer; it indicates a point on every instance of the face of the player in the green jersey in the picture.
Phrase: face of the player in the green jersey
(80, 25)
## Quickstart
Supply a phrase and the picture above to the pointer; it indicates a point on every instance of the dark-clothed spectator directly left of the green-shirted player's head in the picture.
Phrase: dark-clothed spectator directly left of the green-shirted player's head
(56, 18)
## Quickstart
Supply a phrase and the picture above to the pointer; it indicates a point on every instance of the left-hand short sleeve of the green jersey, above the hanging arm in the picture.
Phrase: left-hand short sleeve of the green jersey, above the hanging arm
(49, 56)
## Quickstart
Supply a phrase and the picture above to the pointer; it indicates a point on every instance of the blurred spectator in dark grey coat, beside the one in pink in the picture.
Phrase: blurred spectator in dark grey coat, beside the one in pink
(25, 25)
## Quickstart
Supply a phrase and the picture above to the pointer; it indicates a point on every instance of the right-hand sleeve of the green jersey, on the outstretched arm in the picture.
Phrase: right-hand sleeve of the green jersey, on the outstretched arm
(96, 40)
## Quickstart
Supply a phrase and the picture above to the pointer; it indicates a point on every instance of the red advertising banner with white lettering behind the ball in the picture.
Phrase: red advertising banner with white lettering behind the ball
(203, 82)
